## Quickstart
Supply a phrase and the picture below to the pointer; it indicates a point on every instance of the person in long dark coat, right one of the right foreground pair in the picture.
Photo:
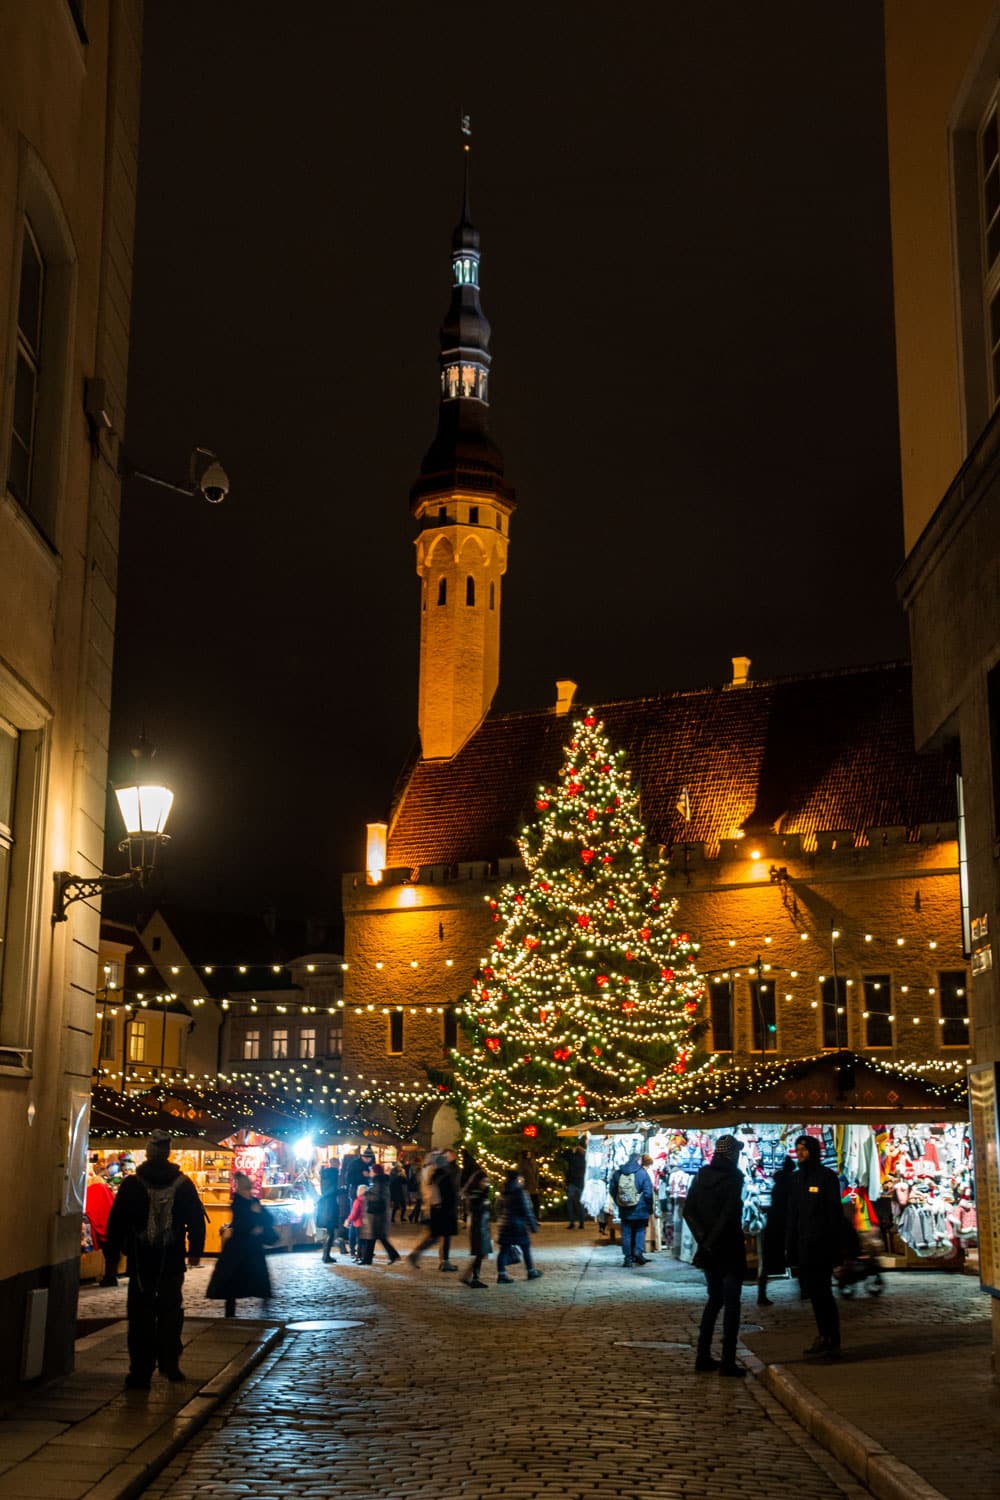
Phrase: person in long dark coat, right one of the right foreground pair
(816, 1240)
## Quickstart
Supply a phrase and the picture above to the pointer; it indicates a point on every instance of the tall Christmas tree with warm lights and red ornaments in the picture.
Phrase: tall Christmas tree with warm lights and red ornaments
(587, 1004)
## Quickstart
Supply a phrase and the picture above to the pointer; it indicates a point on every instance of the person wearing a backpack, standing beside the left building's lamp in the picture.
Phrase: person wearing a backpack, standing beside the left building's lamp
(158, 1222)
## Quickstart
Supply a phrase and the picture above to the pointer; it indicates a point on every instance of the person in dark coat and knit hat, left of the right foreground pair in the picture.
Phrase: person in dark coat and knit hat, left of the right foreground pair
(714, 1213)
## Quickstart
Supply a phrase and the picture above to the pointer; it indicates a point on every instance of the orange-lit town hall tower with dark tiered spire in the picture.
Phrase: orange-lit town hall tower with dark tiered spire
(463, 508)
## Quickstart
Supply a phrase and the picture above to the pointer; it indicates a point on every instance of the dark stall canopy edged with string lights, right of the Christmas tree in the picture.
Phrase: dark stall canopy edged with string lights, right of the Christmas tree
(836, 1088)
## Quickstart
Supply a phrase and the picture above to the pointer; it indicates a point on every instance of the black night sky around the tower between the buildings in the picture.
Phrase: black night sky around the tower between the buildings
(686, 263)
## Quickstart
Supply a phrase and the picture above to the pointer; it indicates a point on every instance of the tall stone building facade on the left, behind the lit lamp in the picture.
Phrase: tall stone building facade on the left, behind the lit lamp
(70, 122)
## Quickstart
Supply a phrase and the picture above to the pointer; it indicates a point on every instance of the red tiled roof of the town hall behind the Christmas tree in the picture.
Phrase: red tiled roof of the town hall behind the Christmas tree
(797, 755)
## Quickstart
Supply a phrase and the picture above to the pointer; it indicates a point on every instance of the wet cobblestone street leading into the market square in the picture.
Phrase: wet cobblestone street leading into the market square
(578, 1385)
